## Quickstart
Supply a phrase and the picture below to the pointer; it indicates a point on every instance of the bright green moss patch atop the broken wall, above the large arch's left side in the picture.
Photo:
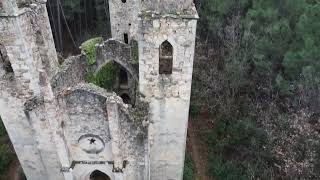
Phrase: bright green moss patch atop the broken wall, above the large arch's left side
(89, 48)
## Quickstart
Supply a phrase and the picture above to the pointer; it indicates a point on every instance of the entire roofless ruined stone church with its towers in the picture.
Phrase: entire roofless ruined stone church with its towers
(63, 127)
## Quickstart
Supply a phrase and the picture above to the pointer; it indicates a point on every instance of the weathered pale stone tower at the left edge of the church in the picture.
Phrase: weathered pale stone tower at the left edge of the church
(26, 37)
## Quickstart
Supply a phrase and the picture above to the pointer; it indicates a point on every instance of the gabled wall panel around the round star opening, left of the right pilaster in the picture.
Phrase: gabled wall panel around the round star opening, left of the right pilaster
(86, 115)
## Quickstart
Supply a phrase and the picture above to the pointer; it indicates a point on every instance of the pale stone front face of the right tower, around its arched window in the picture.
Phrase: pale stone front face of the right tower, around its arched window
(169, 95)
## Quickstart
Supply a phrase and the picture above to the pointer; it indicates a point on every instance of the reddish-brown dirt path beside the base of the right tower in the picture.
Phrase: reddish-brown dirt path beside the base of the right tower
(197, 147)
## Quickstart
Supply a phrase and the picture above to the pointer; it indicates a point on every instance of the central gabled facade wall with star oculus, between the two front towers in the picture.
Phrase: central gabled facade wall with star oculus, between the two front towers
(85, 110)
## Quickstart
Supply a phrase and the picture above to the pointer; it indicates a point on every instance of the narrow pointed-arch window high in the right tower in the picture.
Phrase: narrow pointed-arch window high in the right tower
(165, 58)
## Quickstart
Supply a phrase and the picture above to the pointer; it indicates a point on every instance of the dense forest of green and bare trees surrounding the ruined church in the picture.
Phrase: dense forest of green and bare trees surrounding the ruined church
(255, 104)
